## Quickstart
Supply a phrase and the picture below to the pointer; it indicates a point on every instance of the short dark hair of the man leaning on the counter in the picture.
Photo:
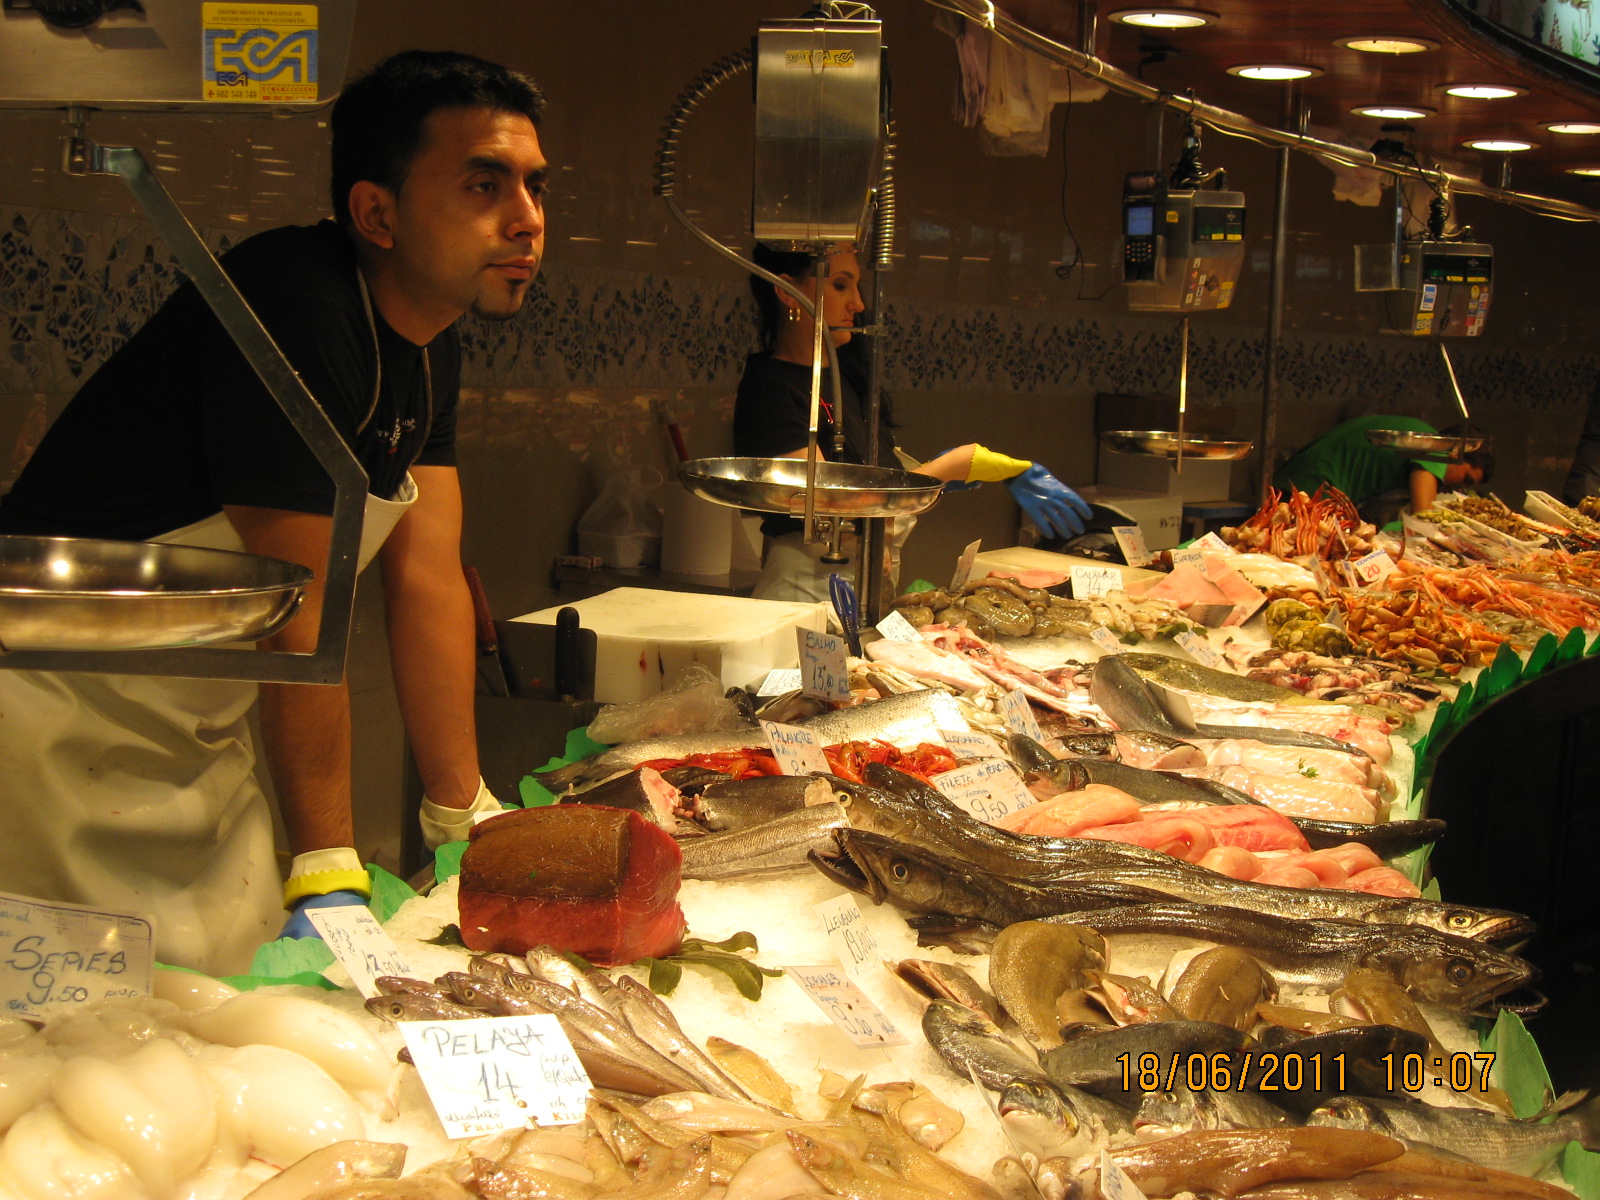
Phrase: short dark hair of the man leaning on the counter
(378, 119)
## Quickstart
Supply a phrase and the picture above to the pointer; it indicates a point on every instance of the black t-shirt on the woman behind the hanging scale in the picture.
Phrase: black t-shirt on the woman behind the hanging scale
(772, 415)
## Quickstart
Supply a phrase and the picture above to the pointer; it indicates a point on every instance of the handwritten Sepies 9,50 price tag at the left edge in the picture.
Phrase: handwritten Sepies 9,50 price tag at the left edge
(68, 954)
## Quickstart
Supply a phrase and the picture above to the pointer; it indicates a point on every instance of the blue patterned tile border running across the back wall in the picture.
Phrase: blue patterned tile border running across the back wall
(74, 287)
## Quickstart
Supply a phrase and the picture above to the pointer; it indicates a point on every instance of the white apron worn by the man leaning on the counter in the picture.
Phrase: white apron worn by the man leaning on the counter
(138, 793)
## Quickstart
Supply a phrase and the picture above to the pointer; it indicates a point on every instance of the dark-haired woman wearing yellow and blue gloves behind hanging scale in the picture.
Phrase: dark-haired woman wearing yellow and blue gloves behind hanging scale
(772, 420)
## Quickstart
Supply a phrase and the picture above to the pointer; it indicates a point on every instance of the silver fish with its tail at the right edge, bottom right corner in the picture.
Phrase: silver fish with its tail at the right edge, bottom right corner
(1487, 1138)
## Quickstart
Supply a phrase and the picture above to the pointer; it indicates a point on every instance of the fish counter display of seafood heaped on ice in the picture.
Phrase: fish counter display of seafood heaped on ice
(1073, 894)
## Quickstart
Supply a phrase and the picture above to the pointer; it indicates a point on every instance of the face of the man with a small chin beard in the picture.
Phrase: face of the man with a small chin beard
(470, 218)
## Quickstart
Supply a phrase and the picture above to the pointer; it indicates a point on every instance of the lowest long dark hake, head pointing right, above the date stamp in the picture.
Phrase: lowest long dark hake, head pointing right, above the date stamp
(1450, 972)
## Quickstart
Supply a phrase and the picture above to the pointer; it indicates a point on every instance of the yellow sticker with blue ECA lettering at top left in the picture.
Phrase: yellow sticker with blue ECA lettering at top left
(258, 54)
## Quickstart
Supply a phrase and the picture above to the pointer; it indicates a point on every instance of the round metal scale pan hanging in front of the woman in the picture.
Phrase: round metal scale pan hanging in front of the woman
(778, 486)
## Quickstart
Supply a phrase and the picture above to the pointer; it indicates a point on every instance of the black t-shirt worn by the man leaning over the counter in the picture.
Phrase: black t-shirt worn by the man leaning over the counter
(177, 425)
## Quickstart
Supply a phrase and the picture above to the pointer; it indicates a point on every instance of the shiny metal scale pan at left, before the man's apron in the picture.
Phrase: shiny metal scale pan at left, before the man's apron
(89, 594)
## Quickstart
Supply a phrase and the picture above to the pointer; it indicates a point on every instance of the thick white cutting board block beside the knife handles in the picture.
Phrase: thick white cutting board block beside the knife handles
(644, 638)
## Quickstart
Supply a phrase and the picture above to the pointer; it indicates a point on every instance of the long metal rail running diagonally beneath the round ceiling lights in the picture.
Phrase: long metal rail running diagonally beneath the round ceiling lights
(1226, 121)
